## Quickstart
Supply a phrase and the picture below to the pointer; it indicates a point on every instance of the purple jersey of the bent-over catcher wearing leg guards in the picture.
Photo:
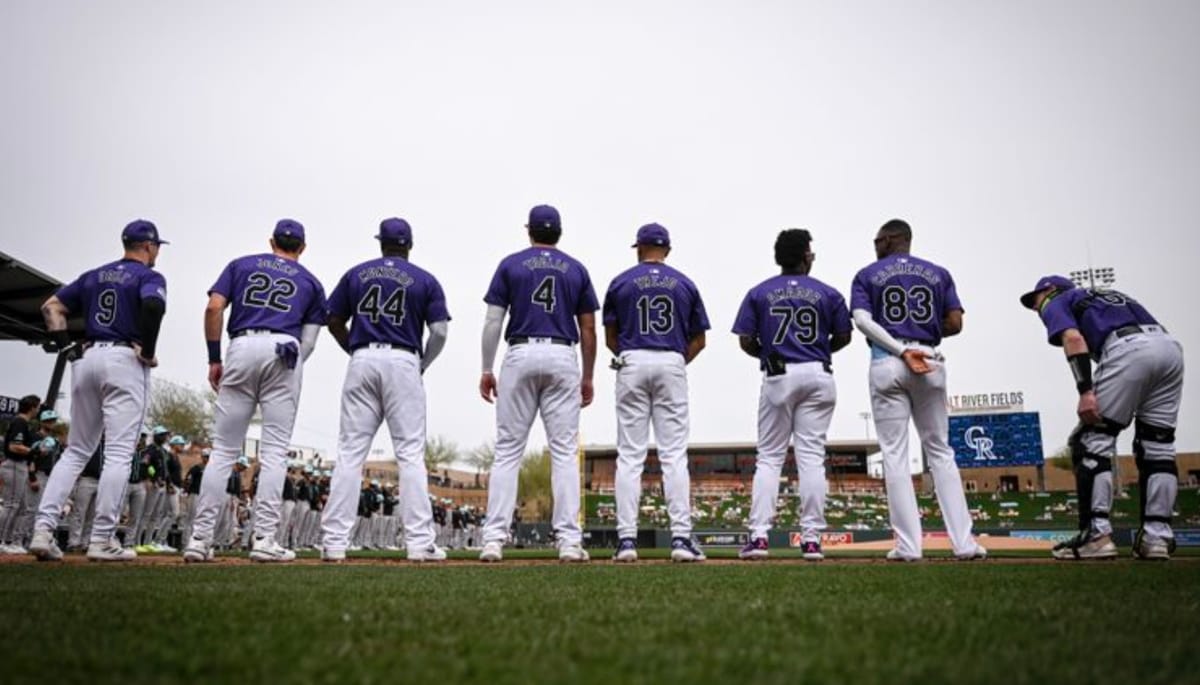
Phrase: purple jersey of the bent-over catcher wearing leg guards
(1094, 314)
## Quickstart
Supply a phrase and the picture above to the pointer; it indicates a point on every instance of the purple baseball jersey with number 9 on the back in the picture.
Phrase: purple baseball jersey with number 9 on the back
(111, 299)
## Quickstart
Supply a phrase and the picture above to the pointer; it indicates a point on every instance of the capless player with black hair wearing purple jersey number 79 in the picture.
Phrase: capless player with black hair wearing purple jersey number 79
(793, 325)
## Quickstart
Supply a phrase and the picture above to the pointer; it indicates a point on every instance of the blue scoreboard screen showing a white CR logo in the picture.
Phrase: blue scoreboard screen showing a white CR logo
(1011, 440)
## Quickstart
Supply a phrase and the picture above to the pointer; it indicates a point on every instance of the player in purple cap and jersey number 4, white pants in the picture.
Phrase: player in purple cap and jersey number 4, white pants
(551, 308)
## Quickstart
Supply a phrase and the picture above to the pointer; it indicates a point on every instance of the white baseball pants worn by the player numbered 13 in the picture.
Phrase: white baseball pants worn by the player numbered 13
(652, 388)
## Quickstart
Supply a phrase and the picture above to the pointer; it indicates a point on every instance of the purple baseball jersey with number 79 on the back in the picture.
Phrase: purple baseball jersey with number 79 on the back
(795, 317)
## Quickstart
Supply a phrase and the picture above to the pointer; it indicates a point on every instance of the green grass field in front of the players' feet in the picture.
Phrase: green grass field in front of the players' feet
(841, 622)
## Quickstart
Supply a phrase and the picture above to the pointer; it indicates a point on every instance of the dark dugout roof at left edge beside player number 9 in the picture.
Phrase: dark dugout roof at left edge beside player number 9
(22, 292)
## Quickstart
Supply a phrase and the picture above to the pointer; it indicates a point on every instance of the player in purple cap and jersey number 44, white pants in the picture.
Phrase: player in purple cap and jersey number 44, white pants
(388, 303)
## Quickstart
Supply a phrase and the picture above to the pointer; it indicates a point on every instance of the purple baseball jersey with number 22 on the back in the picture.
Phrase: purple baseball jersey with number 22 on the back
(267, 292)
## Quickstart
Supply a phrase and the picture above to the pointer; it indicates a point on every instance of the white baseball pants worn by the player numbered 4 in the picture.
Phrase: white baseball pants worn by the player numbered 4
(537, 378)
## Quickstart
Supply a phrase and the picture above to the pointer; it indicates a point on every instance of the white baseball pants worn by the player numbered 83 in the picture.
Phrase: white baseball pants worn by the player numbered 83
(897, 395)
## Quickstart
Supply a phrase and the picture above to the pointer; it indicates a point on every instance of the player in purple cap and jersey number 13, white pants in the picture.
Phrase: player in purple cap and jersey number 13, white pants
(655, 322)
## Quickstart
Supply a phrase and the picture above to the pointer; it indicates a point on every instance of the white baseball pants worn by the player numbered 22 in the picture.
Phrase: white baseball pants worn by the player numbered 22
(254, 377)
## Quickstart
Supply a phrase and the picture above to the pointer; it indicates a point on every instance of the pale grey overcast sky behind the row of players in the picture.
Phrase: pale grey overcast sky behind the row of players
(1018, 139)
